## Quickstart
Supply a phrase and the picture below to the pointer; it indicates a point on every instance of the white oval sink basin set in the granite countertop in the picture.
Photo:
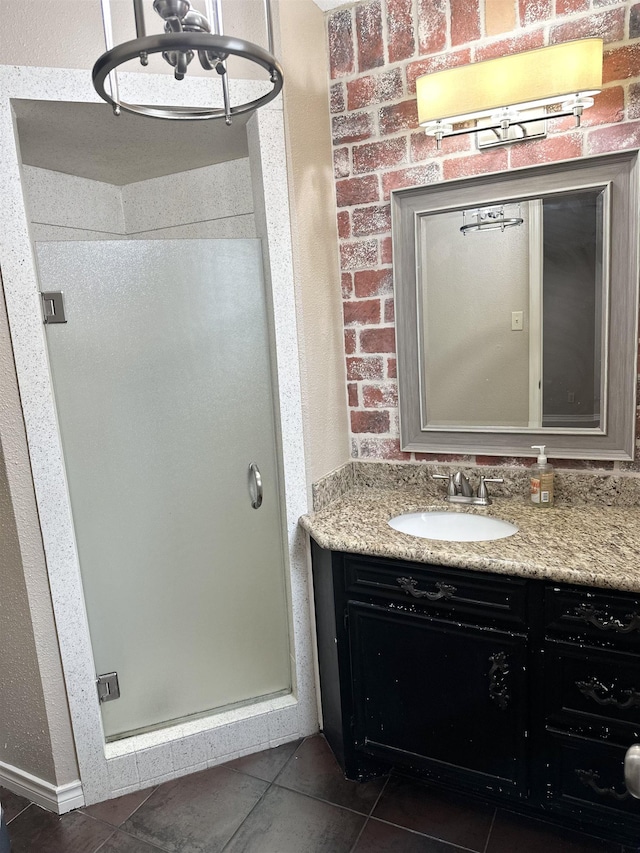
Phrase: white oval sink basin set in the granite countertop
(453, 526)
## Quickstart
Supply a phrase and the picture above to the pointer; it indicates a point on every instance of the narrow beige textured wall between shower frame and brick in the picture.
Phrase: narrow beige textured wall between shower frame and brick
(302, 50)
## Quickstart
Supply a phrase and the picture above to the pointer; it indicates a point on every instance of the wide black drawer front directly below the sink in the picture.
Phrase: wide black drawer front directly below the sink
(418, 586)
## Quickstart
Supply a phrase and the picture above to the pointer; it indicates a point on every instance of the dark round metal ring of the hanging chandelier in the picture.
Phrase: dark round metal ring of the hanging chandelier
(182, 42)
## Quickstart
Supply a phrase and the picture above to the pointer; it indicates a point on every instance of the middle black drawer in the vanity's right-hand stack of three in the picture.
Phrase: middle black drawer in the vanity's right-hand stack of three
(592, 691)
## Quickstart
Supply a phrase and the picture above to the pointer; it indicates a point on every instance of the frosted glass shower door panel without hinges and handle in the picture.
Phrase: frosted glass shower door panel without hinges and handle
(163, 389)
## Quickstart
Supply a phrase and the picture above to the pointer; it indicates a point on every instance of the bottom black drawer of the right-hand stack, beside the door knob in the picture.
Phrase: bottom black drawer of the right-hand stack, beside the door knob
(586, 773)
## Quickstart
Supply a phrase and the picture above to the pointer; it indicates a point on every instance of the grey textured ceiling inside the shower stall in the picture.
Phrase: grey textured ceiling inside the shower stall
(86, 140)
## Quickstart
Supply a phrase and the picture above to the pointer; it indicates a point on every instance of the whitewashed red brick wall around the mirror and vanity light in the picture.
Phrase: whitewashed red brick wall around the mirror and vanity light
(377, 48)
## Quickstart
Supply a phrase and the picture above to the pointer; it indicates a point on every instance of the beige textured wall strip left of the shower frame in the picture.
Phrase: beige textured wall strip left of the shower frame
(35, 728)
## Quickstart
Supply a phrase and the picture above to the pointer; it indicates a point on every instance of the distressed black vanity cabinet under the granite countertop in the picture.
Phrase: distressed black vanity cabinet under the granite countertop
(515, 690)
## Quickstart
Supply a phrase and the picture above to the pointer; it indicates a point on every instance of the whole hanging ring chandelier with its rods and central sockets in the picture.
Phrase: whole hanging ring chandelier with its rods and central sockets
(186, 32)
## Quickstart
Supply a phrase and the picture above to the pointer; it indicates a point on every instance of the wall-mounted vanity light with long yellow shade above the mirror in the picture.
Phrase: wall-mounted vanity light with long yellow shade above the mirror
(500, 89)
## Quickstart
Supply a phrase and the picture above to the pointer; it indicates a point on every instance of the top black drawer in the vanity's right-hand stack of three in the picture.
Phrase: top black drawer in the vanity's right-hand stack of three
(606, 619)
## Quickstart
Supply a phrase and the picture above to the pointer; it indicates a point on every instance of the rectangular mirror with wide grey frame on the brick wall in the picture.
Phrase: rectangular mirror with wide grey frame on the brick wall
(517, 310)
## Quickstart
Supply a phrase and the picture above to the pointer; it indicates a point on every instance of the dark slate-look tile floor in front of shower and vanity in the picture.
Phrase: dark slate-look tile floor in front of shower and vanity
(292, 799)
